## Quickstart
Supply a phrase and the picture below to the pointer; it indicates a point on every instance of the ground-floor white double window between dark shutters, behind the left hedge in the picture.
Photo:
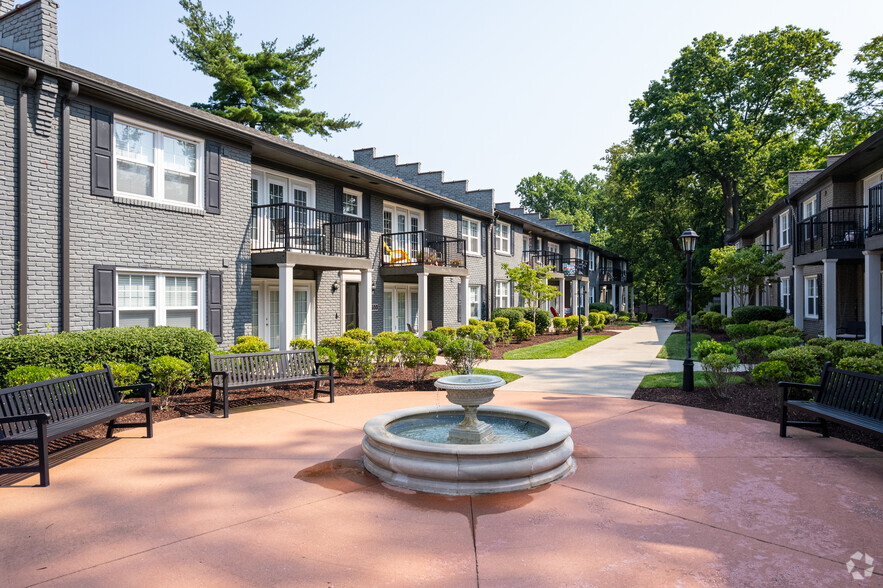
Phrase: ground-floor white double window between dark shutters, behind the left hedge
(151, 299)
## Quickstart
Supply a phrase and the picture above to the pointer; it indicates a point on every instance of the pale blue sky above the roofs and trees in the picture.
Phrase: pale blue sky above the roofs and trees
(486, 91)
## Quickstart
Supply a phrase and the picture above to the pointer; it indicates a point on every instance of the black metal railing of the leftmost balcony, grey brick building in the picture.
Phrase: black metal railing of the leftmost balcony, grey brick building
(289, 227)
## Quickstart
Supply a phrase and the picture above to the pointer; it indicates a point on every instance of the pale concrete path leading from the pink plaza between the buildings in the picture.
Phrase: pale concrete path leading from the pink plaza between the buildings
(613, 367)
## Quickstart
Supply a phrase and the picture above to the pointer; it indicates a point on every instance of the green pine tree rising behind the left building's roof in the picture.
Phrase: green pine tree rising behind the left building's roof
(263, 90)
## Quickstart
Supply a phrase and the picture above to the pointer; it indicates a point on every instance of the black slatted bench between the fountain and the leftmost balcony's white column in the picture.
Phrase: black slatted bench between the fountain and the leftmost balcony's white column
(236, 371)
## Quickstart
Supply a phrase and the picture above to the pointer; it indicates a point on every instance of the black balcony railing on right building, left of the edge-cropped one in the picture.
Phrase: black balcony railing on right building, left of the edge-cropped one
(839, 227)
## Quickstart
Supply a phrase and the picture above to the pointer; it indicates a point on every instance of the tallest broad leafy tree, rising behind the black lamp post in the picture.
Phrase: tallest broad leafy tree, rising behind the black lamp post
(738, 112)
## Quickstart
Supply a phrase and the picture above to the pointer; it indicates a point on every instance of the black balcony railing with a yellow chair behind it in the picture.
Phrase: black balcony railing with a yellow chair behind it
(422, 248)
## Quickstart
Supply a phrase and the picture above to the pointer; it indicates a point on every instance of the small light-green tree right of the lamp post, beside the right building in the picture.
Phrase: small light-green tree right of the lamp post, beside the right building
(740, 271)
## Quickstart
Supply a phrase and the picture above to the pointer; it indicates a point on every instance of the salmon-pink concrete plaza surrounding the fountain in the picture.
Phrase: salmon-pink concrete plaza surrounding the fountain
(663, 496)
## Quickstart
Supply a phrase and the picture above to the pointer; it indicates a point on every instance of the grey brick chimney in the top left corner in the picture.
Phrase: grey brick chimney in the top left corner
(30, 28)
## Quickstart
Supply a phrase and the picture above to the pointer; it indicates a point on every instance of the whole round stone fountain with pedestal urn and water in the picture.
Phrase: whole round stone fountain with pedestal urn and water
(468, 449)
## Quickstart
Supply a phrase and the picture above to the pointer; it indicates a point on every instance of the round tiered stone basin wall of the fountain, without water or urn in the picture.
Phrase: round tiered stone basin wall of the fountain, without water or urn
(467, 469)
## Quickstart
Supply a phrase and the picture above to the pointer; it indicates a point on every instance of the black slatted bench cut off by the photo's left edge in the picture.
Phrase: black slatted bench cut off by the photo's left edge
(35, 414)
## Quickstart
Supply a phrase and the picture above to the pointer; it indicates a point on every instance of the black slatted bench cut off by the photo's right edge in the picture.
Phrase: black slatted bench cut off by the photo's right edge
(848, 398)
